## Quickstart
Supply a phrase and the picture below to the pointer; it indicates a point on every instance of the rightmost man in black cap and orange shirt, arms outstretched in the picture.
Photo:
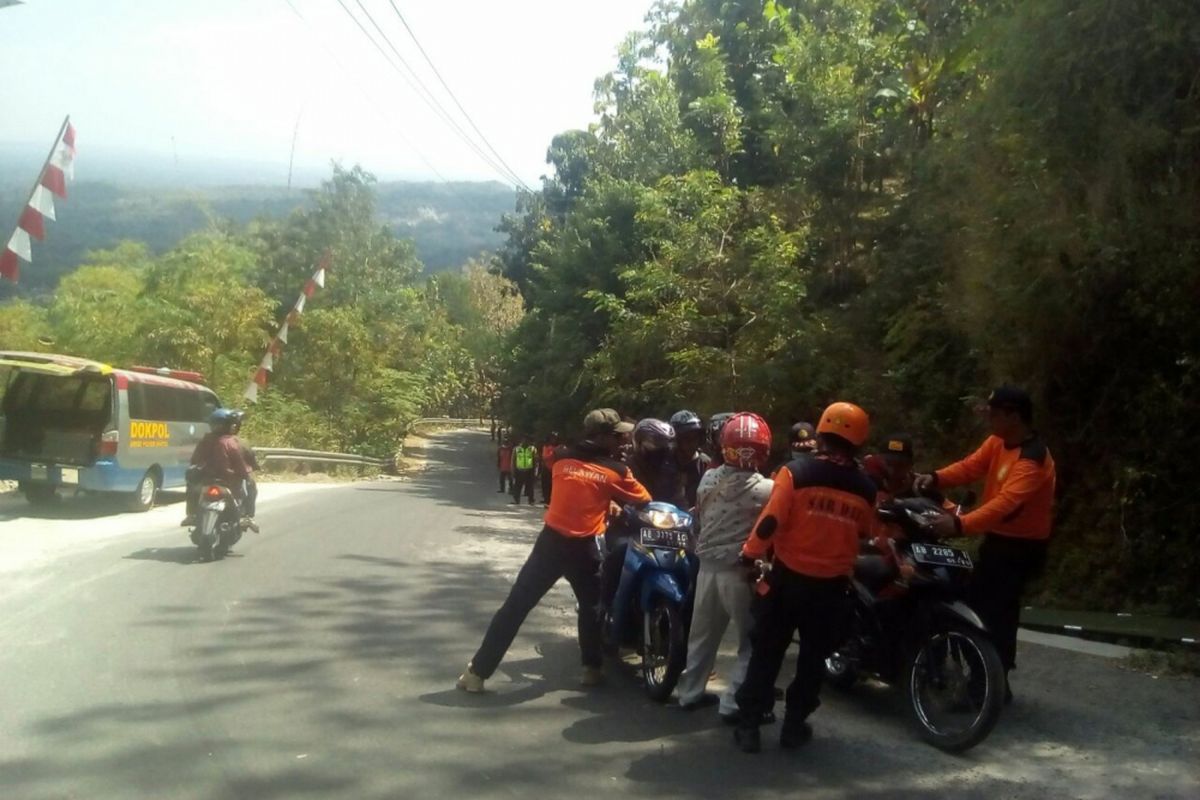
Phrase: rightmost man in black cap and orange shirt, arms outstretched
(1015, 516)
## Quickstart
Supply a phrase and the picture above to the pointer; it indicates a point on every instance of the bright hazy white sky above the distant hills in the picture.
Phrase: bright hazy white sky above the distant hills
(229, 79)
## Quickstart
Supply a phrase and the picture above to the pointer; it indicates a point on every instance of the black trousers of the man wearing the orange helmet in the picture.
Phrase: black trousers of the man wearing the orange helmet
(820, 610)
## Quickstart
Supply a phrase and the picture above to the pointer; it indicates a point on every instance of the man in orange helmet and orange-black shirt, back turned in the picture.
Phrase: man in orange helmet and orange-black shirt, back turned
(820, 507)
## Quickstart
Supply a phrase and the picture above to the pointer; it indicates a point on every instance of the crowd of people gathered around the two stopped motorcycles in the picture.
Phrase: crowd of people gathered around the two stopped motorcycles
(807, 513)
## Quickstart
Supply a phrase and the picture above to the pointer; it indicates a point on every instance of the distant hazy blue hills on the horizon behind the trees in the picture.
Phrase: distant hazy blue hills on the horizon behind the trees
(448, 222)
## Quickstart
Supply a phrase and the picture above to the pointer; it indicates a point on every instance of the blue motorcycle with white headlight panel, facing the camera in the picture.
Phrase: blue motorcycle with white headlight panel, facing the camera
(652, 606)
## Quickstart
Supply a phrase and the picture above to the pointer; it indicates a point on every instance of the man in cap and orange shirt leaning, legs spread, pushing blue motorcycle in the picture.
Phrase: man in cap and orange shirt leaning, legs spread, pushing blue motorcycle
(586, 480)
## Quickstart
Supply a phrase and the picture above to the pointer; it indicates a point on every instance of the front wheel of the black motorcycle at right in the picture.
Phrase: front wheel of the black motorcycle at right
(955, 683)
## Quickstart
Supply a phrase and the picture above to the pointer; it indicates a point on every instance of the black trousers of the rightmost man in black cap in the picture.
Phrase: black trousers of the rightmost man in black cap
(1006, 566)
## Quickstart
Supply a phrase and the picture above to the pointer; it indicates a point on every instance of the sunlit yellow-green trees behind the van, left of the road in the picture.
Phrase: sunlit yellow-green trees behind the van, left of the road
(374, 351)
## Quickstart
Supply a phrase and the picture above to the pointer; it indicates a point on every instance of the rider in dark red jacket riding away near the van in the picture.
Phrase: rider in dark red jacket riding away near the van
(220, 456)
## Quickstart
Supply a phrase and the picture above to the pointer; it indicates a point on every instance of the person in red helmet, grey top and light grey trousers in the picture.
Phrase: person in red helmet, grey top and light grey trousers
(730, 500)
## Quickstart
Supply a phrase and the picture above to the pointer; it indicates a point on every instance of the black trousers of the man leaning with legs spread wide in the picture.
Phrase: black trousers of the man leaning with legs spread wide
(554, 557)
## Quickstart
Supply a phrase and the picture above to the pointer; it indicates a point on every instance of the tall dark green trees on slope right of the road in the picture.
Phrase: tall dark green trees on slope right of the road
(901, 203)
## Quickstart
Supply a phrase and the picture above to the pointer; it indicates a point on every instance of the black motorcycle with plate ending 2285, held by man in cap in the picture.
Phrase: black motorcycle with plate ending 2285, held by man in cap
(913, 628)
